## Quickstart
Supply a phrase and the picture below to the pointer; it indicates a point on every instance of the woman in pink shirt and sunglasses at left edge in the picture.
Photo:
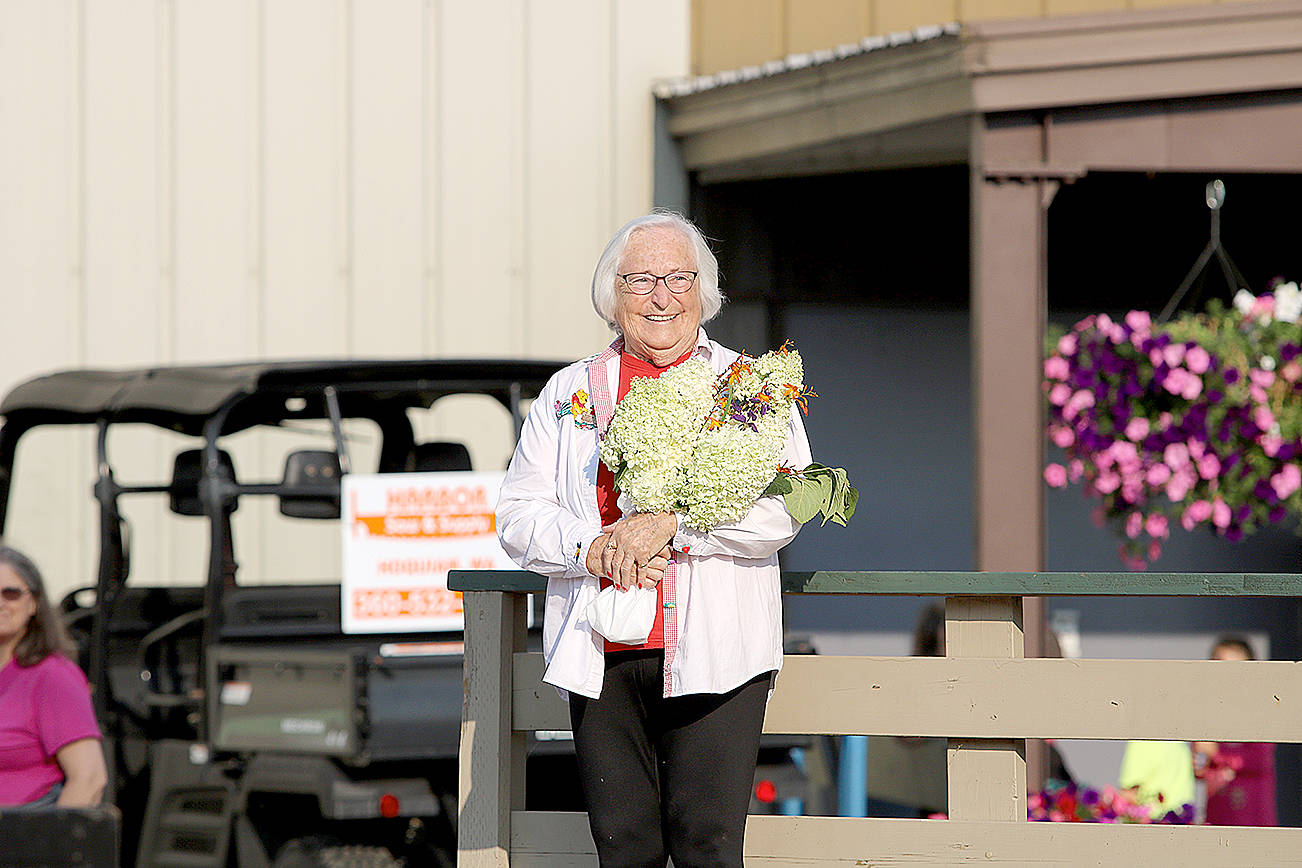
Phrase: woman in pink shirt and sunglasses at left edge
(50, 744)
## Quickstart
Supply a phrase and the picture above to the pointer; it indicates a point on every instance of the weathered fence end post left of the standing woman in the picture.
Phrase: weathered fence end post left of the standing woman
(493, 755)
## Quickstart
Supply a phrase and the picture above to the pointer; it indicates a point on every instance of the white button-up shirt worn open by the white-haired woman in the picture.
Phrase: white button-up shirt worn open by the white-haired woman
(723, 598)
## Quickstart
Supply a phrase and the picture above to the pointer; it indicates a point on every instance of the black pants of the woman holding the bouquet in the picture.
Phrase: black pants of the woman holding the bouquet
(666, 778)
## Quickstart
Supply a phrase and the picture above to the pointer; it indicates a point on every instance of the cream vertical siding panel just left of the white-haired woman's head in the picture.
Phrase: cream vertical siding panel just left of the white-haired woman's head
(571, 141)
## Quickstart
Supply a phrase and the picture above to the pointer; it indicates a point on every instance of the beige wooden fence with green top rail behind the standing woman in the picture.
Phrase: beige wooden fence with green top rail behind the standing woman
(985, 697)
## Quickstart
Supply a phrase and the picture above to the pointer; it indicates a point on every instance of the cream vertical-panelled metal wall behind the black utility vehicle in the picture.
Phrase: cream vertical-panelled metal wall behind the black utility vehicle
(218, 180)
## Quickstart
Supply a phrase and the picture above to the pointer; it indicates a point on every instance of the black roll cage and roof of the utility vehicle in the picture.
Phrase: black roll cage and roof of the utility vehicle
(215, 401)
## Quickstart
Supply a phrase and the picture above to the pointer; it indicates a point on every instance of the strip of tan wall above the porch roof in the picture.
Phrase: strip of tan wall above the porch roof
(731, 34)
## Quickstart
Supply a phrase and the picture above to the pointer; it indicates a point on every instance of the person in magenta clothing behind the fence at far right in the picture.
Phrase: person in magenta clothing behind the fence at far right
(1240, 776)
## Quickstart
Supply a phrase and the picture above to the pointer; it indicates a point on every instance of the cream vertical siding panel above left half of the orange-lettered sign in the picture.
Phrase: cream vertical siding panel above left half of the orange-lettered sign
(386, 131)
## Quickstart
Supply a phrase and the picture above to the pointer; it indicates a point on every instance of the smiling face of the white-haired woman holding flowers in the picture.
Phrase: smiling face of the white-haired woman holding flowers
(662, 326)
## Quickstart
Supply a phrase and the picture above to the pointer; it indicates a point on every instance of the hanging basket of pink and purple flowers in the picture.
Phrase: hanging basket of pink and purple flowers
(1196, 422)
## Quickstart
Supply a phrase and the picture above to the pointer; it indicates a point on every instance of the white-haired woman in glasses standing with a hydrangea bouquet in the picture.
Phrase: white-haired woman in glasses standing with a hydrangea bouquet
(666, 732)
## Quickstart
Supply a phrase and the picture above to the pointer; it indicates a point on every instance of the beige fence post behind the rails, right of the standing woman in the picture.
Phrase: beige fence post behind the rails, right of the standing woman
(988, 778)
